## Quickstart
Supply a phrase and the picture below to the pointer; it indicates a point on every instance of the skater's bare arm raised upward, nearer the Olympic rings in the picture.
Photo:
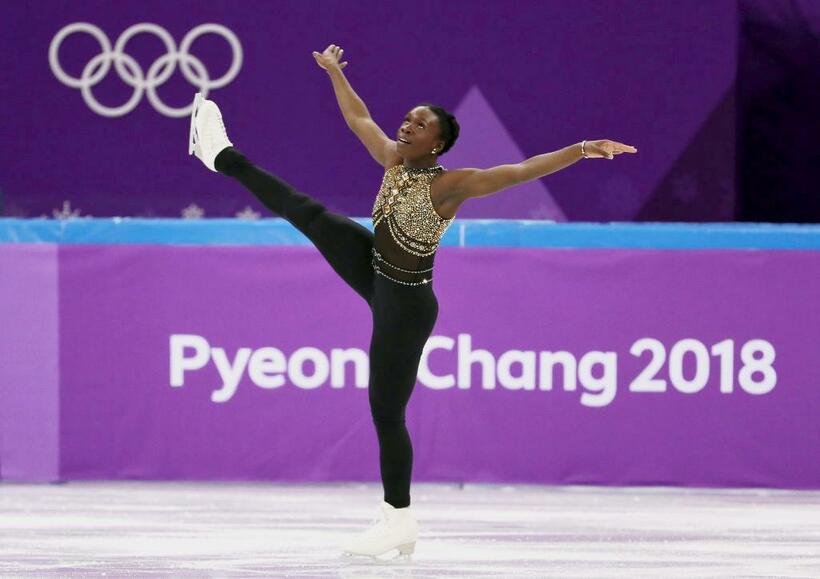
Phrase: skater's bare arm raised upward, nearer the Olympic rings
(356, 115)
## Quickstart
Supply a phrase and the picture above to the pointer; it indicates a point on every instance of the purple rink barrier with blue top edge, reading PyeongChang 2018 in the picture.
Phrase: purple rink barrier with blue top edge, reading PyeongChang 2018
(563, 354)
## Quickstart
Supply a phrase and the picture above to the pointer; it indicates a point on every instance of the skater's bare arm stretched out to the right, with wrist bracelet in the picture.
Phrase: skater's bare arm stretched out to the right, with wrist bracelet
(468, 183)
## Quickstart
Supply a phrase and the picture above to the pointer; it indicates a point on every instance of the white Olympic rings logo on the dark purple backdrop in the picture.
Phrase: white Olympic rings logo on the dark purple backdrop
(132, 74)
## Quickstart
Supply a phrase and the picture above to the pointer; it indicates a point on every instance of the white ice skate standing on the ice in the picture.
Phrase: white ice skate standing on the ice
(395, 529)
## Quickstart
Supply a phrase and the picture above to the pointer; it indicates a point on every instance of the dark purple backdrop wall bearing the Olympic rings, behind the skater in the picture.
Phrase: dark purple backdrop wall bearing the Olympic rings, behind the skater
(524, 78)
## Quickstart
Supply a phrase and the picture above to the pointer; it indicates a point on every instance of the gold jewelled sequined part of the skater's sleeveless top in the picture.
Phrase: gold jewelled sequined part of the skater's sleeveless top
(405, 205)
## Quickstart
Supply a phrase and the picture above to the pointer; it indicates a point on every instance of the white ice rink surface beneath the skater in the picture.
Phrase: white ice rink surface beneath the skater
(150, 529)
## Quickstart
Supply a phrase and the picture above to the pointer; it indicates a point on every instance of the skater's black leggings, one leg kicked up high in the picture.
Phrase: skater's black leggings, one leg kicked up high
(403, 316)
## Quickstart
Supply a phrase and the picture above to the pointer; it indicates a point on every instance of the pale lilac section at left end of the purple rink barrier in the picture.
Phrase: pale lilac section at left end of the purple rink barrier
(29, 379)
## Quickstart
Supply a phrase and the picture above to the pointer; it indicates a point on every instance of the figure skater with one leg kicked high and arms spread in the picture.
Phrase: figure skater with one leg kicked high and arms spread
(391, 268)
